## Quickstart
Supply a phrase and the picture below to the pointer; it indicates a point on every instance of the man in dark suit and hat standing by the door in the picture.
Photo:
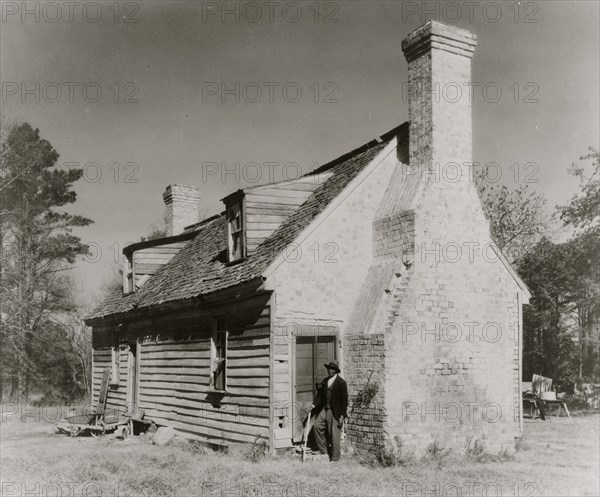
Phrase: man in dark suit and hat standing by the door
(330, 406)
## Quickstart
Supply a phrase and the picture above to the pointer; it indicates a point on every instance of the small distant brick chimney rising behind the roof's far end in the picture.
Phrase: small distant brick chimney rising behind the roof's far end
(182, 207)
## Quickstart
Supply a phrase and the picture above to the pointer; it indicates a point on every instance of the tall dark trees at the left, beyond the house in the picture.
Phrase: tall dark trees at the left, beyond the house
(44, 345)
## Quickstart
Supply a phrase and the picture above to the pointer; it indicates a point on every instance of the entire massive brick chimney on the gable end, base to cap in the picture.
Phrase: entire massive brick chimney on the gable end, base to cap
(442, 340)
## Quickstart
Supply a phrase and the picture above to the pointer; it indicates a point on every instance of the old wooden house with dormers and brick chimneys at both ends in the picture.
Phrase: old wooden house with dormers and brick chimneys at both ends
(381, 259)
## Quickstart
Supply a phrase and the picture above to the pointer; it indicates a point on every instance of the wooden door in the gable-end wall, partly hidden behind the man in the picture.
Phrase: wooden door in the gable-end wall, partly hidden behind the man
(312, 353)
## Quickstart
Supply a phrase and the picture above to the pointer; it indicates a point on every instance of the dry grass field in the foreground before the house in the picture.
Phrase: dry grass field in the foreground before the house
(557, 458)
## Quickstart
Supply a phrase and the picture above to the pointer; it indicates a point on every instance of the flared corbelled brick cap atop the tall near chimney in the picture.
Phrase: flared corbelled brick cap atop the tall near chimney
(440, 36)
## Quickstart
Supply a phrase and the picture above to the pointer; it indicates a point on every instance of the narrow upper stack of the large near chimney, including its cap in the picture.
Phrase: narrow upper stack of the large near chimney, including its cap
(439, 103)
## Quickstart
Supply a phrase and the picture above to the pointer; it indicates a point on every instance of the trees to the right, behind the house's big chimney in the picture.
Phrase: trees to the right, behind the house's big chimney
(561, 324)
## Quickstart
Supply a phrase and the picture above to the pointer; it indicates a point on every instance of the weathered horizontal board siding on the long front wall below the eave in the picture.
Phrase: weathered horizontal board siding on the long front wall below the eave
(174, 371)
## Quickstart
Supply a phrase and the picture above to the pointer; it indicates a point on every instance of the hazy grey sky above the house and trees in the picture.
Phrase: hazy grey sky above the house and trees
(227, 94)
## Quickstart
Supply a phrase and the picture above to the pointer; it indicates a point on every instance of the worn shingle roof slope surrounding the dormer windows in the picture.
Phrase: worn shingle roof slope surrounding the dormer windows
(200, 267)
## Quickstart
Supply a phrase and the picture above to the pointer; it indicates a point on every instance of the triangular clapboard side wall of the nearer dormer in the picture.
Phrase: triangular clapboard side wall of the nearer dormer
(270, 205)
